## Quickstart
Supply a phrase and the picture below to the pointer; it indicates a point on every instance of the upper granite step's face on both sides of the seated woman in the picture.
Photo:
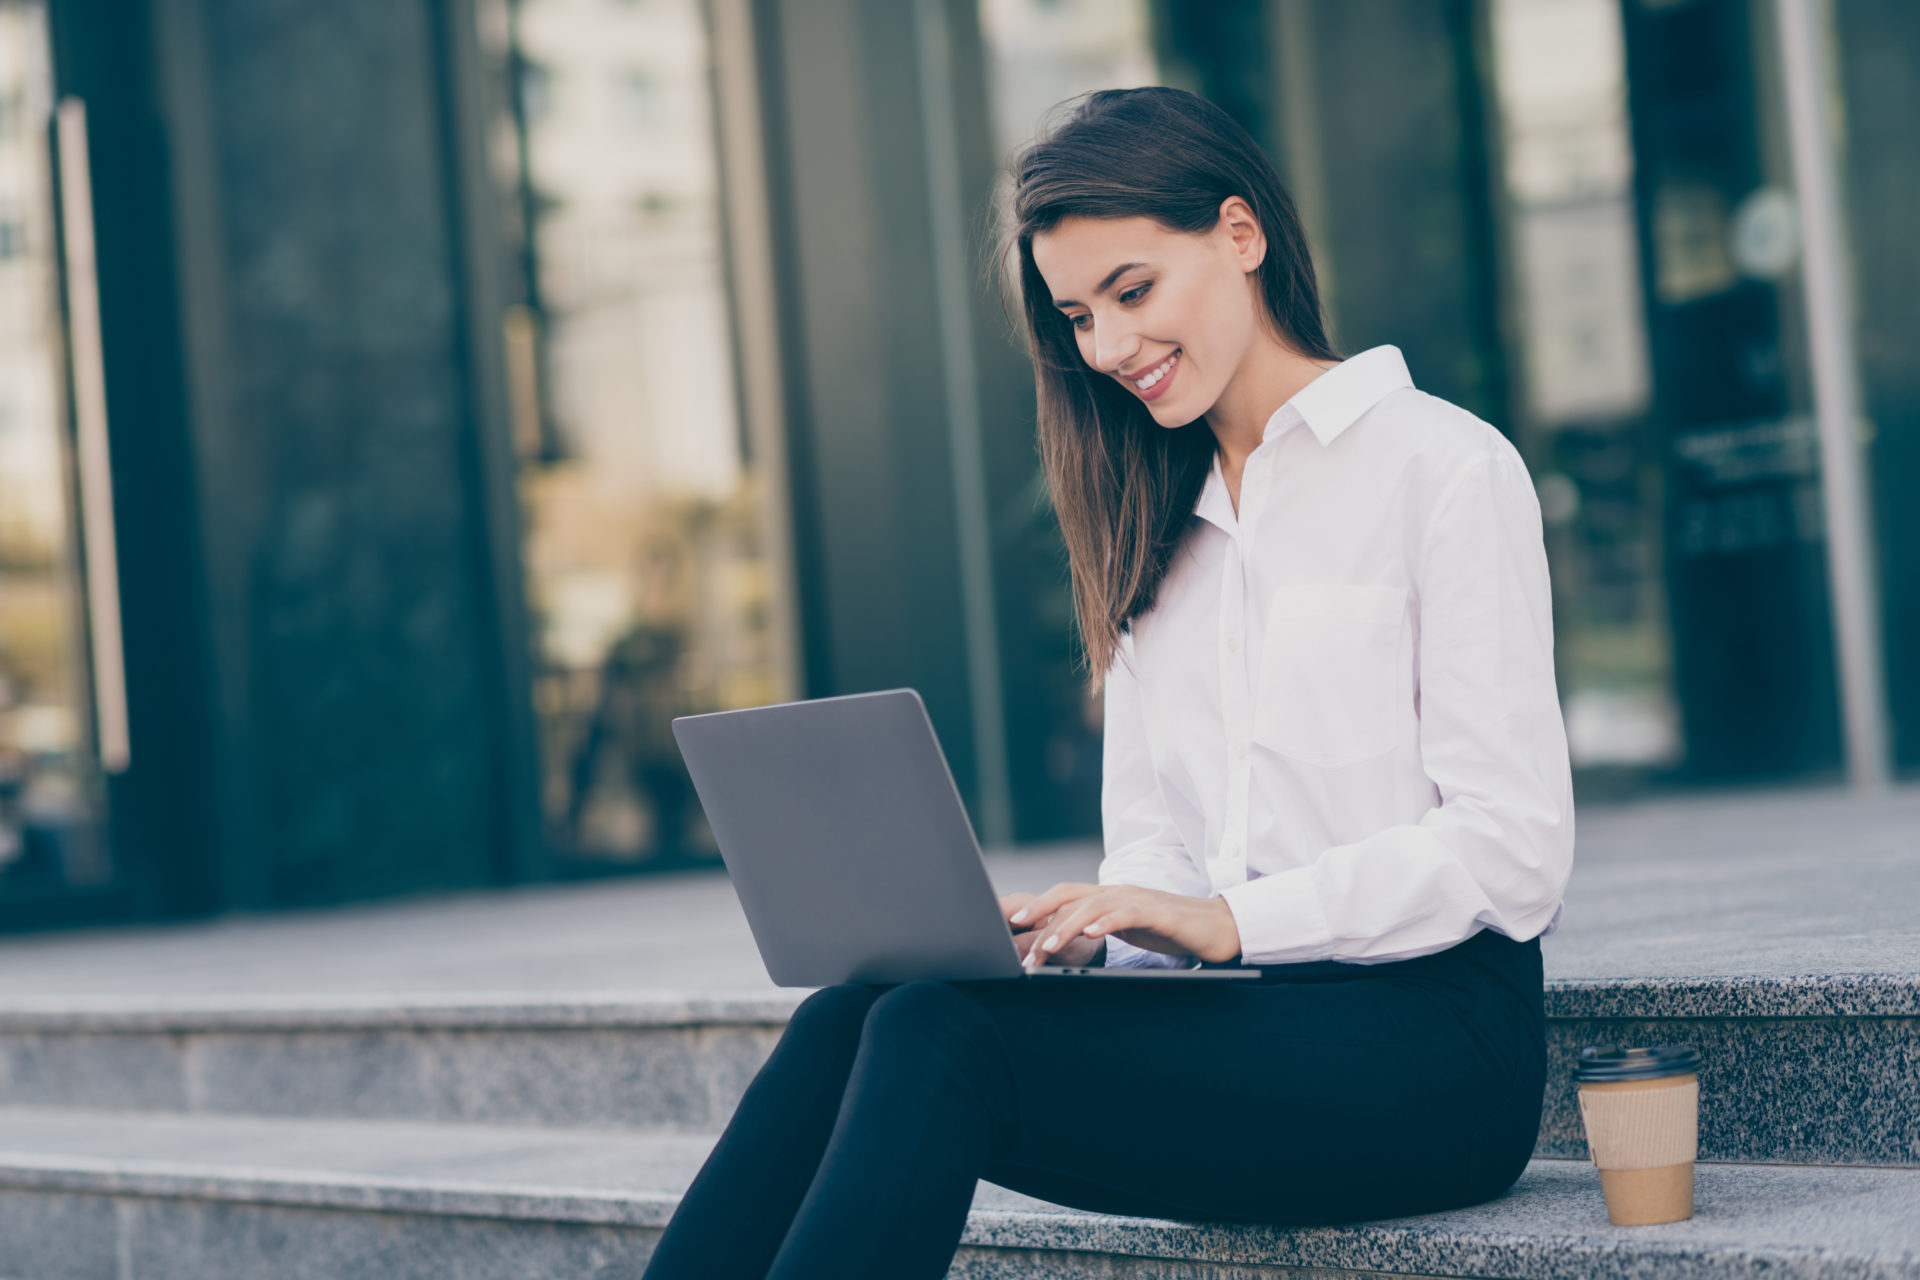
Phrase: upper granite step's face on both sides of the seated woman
(1794, 1070)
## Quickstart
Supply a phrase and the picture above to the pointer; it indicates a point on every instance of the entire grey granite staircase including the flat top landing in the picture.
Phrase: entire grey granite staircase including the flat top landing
(279, 1101)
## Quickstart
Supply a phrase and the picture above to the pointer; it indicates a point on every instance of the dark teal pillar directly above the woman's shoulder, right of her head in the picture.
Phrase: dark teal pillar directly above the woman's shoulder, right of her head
(1378, 124)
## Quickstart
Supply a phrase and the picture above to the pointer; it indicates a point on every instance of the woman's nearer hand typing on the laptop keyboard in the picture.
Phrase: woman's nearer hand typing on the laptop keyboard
(1067, 916)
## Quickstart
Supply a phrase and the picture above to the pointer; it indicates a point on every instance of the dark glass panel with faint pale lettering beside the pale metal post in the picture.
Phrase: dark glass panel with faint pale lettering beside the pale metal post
(1746, 569)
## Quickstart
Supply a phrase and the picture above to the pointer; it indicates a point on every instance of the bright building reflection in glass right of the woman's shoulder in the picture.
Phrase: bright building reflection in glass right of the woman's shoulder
(1560, 74)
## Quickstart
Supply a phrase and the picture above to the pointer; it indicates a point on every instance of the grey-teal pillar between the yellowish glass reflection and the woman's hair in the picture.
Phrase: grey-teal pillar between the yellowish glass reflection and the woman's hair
(878, 523)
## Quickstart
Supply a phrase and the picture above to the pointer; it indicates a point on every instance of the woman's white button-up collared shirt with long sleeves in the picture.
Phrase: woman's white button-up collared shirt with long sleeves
(1341, 713)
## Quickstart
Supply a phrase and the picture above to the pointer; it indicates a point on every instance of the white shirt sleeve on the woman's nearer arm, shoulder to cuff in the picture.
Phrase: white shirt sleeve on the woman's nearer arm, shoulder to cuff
(1499, 847)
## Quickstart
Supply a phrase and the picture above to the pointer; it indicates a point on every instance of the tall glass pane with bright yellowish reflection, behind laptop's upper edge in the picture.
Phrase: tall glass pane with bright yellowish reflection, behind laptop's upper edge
(644, 544)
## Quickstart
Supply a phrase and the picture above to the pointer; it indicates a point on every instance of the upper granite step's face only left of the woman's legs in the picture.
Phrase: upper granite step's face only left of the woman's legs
(548, 1062)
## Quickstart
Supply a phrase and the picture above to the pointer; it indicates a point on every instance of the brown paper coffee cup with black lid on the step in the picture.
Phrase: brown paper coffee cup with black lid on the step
(1641, 1110)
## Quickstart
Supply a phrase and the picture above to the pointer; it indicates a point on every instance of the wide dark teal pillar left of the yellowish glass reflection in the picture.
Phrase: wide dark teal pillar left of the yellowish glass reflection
(352, 521)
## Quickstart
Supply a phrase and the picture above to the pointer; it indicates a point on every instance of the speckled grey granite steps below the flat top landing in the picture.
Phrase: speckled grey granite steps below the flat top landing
(556, 1137)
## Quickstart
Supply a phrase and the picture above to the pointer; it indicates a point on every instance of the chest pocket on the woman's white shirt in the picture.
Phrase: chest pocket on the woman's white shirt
(1330, 676)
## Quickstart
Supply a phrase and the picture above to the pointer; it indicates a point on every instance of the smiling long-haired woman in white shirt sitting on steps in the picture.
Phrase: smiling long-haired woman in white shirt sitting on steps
(1318, 602)
